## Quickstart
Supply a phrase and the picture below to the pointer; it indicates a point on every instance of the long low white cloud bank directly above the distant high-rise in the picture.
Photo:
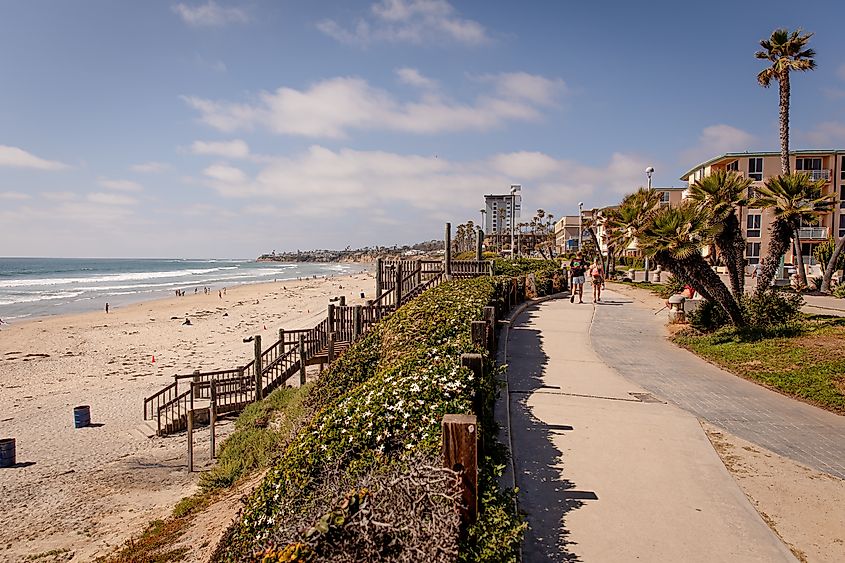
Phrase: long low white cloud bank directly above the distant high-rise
(323, 182)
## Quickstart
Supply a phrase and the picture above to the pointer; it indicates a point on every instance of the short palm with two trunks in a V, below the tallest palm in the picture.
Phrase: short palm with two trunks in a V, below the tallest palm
(793, 198)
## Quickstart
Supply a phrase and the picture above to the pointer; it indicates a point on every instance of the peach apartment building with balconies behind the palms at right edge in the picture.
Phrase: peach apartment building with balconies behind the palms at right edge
(828, 165)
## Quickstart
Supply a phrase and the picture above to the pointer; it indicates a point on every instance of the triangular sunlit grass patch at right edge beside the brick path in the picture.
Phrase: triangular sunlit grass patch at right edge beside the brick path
(805, 359)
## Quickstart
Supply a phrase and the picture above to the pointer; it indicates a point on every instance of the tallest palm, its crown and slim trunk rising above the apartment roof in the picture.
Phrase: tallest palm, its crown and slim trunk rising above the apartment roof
(787, 52)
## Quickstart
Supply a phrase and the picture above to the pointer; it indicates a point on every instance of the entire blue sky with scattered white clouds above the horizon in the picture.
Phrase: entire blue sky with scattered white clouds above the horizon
(199, 128)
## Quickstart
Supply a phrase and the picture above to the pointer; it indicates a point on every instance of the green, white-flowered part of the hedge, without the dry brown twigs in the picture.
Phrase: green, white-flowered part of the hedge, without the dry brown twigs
(380, 404)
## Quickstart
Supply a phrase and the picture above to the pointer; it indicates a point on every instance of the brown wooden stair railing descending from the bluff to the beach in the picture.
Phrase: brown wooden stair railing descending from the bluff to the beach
(235, 388)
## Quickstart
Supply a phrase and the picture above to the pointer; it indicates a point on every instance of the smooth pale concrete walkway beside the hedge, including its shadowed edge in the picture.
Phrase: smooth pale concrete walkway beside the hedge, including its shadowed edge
(605, 471)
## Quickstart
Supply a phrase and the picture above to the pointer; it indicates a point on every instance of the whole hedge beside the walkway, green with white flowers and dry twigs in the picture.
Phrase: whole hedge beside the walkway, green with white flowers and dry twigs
(362, 480)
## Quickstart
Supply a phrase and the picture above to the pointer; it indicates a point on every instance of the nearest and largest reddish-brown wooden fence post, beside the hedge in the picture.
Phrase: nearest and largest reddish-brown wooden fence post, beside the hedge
(460, 453)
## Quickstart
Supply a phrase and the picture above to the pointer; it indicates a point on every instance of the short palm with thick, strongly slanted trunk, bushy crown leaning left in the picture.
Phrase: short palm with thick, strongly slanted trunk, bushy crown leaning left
(674, 238)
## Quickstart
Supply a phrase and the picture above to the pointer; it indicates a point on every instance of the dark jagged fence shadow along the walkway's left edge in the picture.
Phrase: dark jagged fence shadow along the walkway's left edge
(544, 495)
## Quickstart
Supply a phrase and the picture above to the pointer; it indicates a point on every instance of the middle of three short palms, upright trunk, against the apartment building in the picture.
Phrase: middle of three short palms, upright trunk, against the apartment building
(721, 192)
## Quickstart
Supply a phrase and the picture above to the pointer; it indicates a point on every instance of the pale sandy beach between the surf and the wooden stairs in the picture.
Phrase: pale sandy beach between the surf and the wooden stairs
(84, 491)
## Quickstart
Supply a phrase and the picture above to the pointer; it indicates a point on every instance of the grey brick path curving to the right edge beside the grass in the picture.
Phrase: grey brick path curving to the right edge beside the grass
(629, 337)
